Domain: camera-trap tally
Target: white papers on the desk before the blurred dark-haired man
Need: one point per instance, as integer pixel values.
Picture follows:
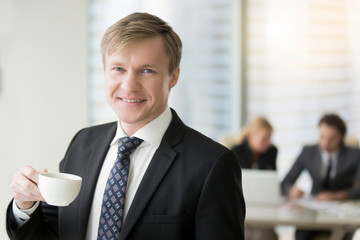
(335, 208)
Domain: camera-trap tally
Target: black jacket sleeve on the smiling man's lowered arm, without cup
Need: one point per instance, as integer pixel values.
(221, 208)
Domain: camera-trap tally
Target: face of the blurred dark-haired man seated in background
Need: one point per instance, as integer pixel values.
(330, 138)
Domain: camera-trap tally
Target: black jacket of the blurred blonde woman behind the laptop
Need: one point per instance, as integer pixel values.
(267, 160)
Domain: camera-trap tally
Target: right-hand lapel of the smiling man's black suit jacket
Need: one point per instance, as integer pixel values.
(158, 167)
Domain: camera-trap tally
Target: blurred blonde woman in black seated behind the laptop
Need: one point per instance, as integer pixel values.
(255, 150)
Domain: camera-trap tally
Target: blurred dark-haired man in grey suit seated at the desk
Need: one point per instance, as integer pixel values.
(334, 168)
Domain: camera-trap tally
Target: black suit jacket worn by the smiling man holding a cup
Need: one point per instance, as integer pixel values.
(191, 190)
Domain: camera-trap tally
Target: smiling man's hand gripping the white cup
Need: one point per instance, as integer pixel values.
(24, 187)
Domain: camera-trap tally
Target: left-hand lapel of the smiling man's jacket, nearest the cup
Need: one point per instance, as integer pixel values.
(93, 168)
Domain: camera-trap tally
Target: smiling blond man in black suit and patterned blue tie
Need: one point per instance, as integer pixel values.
(179, 184)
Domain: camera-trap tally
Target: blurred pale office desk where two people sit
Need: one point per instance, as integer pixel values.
(290, 213)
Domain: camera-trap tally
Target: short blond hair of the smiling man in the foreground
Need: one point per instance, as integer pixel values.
(138, 26)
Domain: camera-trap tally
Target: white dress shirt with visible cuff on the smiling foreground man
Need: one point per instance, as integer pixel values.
(152, 134)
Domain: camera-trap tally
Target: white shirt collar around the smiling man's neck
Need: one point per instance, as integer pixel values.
(152, 132)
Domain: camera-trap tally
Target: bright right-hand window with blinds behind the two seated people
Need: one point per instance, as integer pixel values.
(302, 61)
